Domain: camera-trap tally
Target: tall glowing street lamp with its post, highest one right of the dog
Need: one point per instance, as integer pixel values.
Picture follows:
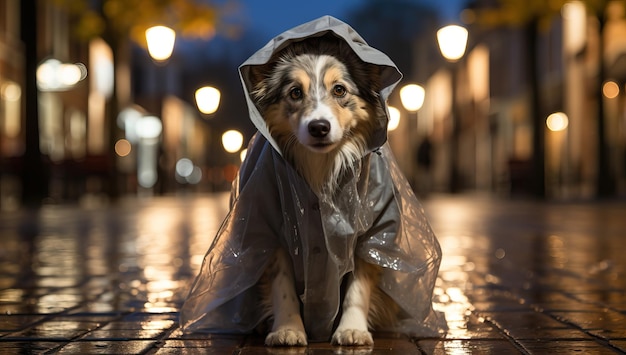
(452, 41)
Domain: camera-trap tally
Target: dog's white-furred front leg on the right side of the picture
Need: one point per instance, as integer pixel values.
(352, 328)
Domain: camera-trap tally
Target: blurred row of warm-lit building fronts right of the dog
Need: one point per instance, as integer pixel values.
(496, 117)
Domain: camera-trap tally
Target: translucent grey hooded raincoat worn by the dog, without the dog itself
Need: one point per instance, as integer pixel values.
(374, 216)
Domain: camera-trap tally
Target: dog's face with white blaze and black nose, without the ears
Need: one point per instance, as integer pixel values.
(318, 104)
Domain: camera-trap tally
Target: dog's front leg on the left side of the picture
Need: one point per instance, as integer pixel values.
(287, 328)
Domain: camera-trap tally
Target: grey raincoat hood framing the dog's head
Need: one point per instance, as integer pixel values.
(390, 75)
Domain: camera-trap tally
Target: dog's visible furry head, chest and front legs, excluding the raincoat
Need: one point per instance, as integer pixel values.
(320, 105)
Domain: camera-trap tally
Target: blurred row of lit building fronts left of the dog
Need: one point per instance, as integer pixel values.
(89, 151)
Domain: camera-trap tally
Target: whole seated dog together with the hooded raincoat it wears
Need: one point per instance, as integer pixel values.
(324, 239)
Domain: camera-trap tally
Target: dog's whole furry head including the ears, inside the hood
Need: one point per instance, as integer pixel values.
(318, 96)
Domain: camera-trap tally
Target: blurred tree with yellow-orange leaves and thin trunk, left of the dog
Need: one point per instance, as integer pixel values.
(118, 21)
